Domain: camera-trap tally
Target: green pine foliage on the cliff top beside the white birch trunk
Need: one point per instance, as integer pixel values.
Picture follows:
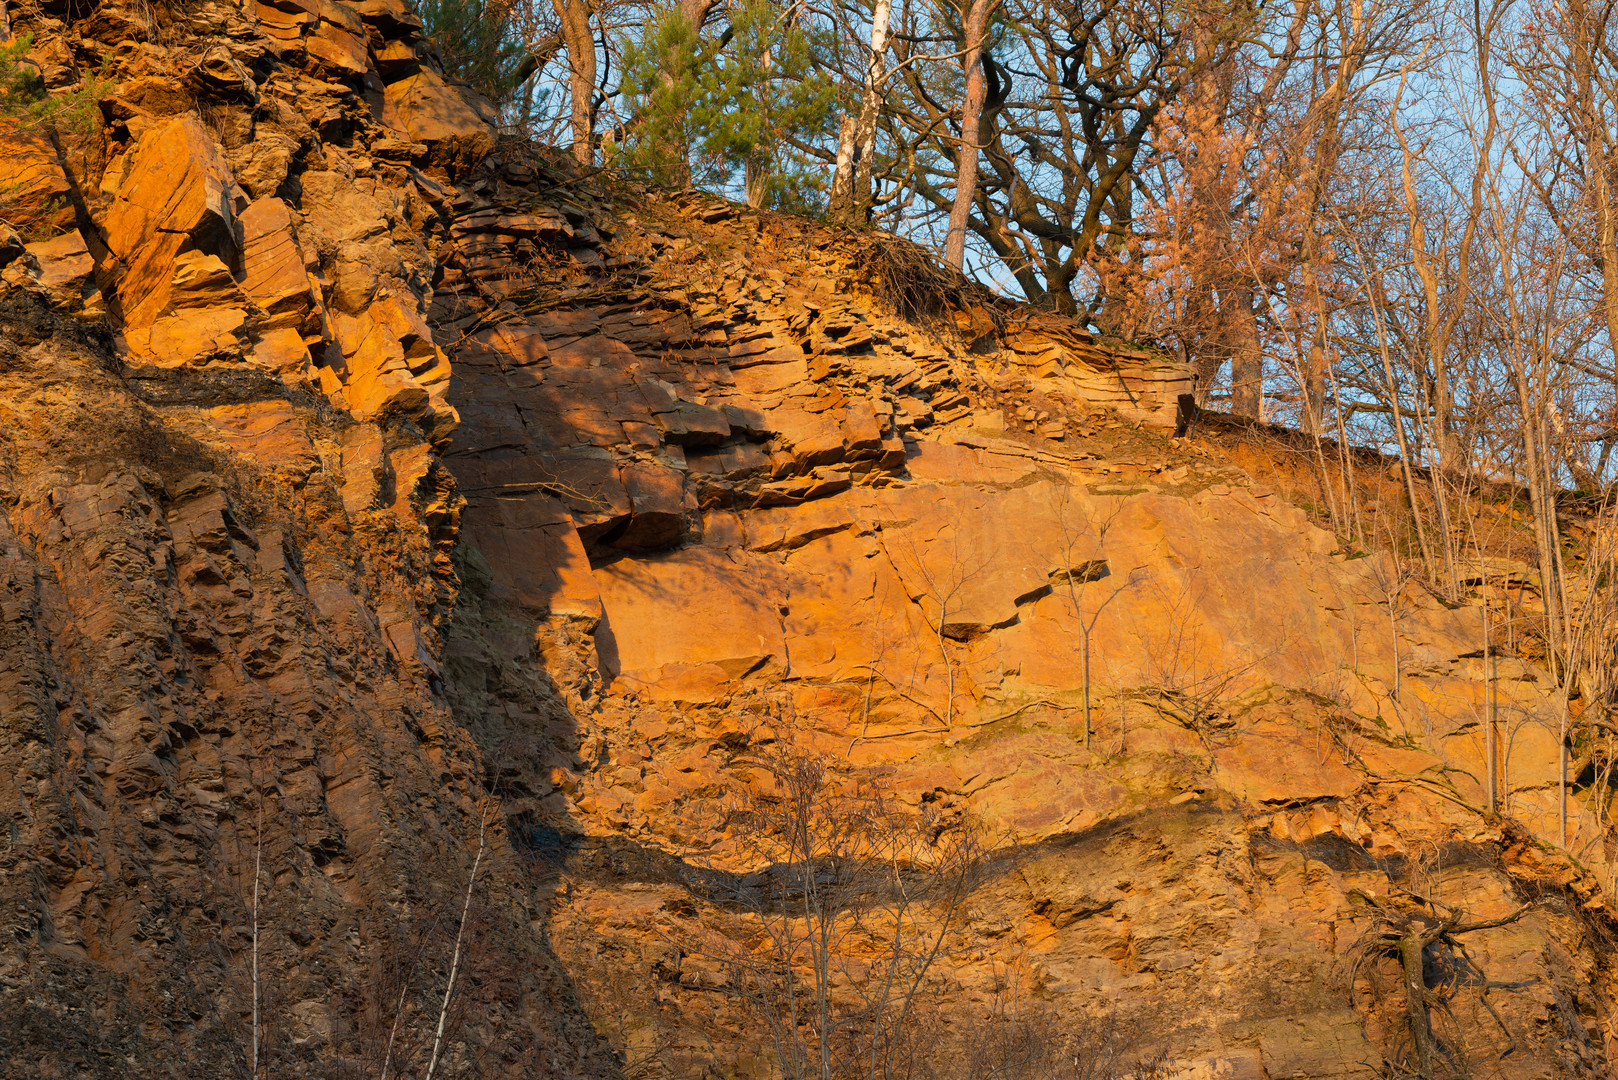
(726, 113)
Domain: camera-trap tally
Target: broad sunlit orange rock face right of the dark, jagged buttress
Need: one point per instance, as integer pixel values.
(923, 614)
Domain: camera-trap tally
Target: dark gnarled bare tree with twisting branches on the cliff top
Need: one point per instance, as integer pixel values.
(1070, 98)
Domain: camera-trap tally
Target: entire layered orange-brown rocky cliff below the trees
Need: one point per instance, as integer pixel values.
(381, 500)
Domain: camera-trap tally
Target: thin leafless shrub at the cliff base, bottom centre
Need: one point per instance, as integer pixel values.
(855, 904)
